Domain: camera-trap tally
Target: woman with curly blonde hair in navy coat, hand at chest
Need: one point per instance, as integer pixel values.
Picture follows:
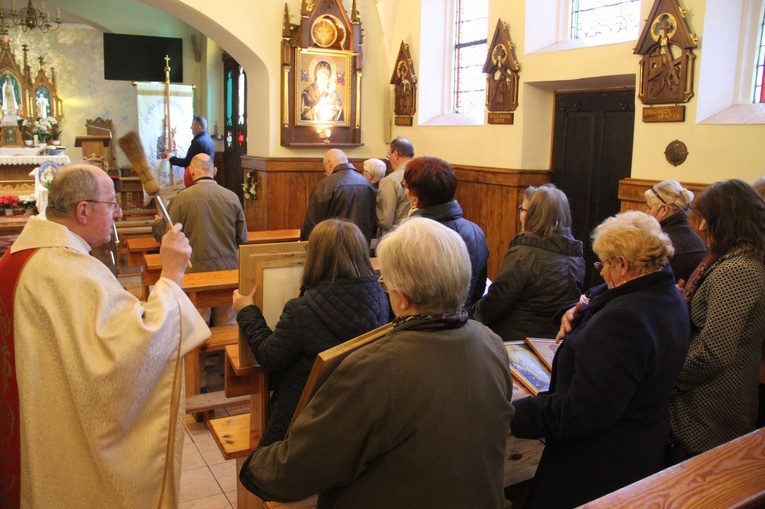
(606, 417)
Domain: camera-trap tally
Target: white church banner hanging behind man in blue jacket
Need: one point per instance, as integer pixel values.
(151, 125)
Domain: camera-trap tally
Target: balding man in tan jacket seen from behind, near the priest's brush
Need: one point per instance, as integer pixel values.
(214, 222)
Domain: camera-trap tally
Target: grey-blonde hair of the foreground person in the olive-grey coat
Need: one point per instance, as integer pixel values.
(427, 262)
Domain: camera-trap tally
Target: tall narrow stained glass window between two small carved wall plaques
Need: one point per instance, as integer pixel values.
(471, 22)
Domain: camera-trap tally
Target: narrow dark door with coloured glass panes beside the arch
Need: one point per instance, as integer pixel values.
(235, 124)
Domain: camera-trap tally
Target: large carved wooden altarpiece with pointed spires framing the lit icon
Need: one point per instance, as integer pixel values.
(321, 76)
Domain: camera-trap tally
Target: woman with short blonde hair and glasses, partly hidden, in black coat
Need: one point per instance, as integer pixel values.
(668, 202)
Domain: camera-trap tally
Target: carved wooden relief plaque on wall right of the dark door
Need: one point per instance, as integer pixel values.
(666, 69)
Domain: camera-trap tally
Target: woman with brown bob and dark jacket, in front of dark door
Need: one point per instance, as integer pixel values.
(542, 272)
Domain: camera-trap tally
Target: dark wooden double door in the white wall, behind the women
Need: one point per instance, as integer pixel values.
(592, 151)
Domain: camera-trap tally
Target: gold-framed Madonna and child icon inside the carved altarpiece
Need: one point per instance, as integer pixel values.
(322, 93)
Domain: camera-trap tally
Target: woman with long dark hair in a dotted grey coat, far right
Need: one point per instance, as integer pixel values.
(715, 396)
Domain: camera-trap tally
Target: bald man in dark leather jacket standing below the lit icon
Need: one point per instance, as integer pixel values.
(344, 194)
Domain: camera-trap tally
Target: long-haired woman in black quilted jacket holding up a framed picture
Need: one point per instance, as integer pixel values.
(339, 300)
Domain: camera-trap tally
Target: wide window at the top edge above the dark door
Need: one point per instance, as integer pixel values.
(594, 18)
